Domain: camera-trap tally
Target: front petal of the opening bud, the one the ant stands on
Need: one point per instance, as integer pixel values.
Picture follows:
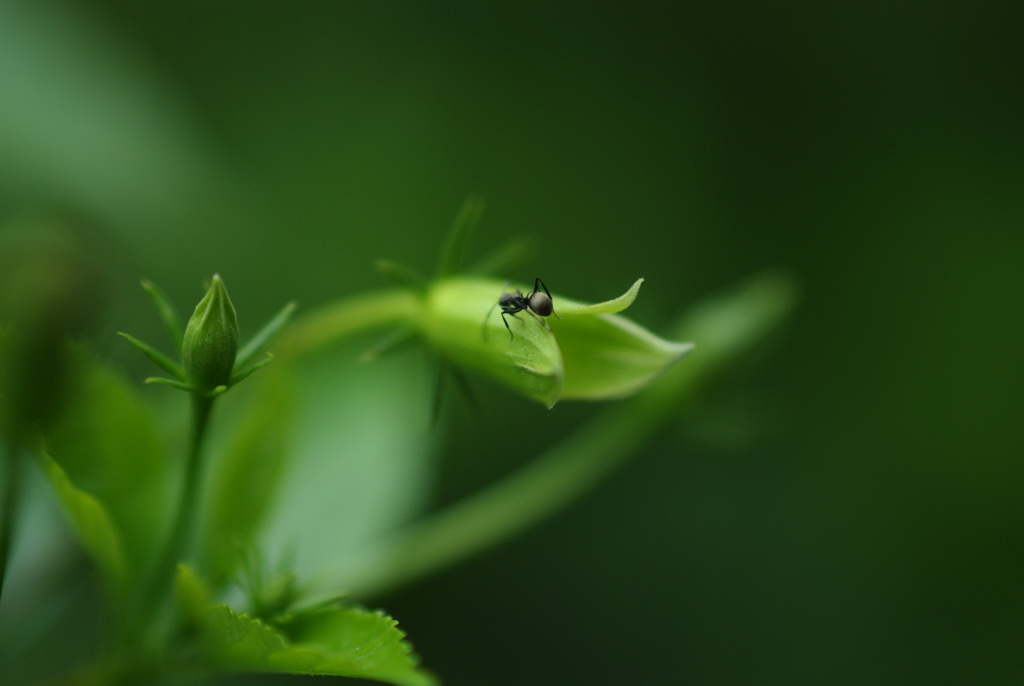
(456, 322)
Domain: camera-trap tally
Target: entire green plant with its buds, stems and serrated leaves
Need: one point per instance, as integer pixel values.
(174, 544)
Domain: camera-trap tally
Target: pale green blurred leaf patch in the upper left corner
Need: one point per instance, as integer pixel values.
(88, 120)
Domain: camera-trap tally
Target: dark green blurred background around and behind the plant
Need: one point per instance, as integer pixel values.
(846, 510)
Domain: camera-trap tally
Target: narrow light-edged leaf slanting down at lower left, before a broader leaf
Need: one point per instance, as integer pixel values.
(91, 522)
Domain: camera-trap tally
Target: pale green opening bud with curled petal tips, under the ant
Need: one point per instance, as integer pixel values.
(589, 354)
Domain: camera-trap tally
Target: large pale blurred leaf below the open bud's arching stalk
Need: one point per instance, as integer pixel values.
(358, 457)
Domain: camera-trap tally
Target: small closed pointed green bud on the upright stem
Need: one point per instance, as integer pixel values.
(211, 341)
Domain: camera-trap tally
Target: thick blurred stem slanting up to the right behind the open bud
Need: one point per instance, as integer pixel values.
(726, 329)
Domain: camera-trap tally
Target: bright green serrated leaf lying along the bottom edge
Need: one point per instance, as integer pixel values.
(338, 641)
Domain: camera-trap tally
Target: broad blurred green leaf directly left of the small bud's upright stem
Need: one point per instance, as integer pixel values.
(109, 445)
